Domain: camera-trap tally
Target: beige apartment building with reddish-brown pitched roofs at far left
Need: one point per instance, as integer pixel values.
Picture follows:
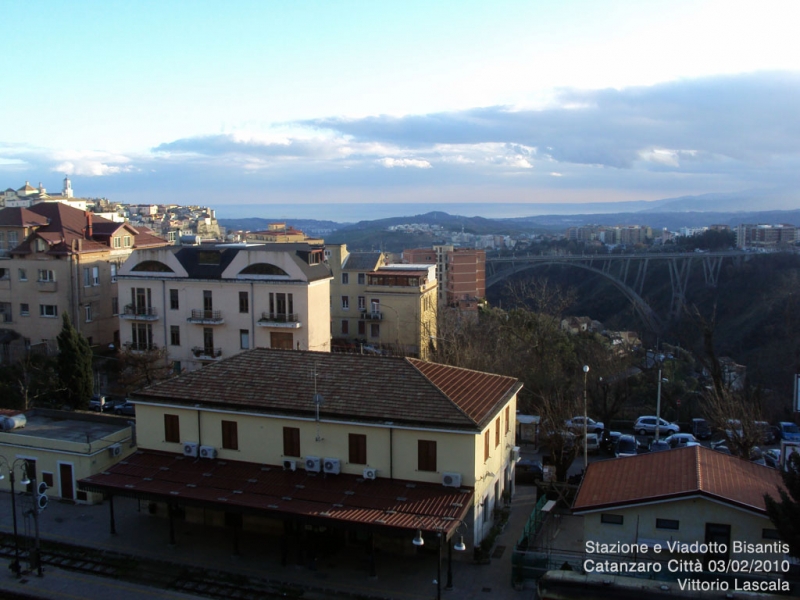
(55, 259)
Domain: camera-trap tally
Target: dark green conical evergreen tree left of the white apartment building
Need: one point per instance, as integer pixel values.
(74, 366)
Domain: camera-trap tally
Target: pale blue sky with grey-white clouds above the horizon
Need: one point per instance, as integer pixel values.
(284, 103)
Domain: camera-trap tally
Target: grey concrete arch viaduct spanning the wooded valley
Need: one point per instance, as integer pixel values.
(627, 272)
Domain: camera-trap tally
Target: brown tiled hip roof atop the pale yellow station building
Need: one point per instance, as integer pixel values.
(354, 387)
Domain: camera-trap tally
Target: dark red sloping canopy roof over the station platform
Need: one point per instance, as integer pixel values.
(256, 488)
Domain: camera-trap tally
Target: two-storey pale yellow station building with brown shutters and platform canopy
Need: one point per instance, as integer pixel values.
(301, 439)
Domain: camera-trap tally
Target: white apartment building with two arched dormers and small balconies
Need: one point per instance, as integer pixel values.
(211, 301)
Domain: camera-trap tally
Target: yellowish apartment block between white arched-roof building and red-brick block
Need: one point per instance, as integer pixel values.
(392, 307)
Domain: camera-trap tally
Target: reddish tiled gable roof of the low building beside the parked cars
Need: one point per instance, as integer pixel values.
(691, 471)
